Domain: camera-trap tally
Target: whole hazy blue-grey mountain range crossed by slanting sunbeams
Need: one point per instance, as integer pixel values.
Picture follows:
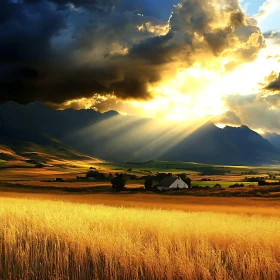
(29, 129)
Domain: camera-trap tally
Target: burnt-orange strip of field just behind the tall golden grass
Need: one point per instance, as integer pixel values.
(230, 205)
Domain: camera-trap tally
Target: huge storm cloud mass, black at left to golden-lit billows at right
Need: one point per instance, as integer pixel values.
(58, 51)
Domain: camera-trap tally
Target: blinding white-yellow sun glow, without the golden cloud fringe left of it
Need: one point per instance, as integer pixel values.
(196, 93)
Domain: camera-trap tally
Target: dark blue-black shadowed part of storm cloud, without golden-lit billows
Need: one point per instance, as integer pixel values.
(39, 36)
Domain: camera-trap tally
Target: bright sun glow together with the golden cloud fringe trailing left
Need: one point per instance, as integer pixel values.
(193, 93)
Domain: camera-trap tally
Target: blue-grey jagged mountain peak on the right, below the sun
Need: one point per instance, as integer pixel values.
(230, 145)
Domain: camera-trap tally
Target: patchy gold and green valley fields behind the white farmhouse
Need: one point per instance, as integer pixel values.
(200, 174)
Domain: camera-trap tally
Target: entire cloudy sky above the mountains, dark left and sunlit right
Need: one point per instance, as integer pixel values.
(179, 60)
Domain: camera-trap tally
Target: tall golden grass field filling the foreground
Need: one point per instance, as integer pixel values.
(56, 240)
